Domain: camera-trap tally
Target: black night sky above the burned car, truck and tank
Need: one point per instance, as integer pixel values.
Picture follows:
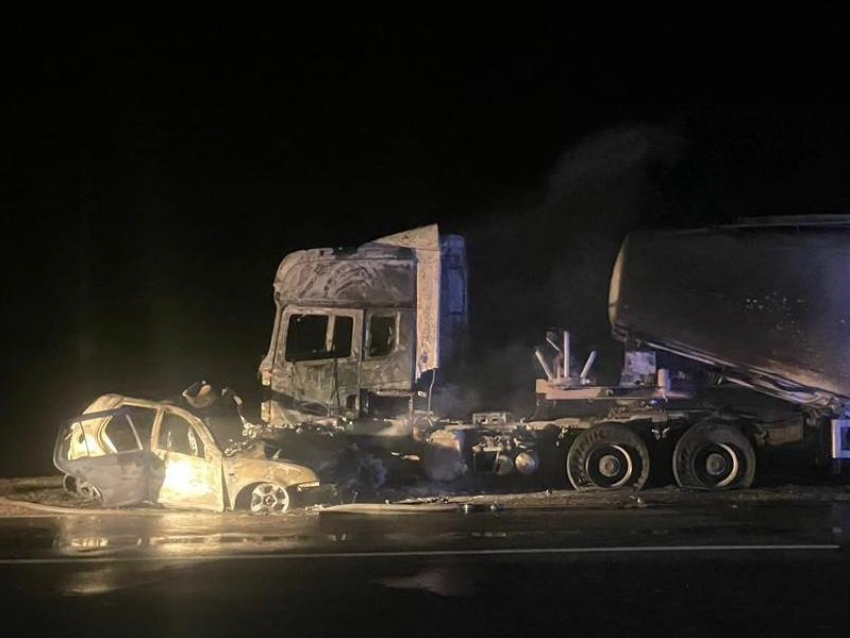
(155, 176)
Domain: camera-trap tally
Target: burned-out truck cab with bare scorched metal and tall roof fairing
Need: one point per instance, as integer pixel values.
(358, 333)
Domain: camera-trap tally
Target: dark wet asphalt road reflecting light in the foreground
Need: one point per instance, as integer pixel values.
(753, 569)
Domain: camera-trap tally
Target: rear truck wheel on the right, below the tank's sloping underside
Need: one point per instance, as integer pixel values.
(714, 456)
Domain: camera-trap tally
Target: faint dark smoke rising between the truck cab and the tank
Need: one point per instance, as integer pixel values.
(546, 261)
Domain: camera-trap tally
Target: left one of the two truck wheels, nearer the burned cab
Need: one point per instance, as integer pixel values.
(608, 456)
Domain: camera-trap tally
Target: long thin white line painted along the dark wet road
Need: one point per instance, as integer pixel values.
(418, 554)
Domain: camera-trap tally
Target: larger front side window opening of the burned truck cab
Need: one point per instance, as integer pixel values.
(314, 337)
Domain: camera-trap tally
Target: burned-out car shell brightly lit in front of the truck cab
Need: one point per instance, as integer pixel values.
(126, 451)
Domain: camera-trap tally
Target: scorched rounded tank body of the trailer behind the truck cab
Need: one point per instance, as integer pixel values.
(770, 305)
